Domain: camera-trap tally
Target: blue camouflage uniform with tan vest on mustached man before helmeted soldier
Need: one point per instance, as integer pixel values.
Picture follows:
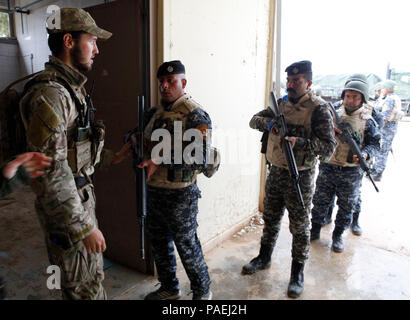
(311, 122)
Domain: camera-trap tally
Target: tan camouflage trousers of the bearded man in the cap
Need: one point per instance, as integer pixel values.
(81, 273)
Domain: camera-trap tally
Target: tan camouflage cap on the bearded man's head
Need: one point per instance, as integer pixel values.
(75, 19)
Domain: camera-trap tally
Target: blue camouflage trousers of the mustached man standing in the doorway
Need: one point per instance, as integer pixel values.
(280, 192)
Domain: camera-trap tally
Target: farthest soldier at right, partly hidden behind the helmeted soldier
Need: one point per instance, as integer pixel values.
(390, 108)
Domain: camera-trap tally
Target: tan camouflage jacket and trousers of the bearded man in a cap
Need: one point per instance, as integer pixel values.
(65, 200)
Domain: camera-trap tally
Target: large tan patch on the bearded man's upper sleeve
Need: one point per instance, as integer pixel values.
(43, 123)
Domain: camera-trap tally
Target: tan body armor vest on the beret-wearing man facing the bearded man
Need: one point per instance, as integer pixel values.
(171, 178)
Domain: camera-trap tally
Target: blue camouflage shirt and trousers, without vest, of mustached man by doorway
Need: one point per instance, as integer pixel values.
(280, 192)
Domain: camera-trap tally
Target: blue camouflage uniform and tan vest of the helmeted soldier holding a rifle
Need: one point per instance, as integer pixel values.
(342, 177)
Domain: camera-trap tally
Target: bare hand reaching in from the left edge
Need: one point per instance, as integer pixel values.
(33, 163)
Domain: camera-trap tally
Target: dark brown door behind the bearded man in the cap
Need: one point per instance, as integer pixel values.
(121, 73)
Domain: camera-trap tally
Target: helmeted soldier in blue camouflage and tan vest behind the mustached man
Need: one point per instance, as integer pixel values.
(342, 175)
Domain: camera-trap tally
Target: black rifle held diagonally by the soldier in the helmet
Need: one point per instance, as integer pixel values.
(347, 137)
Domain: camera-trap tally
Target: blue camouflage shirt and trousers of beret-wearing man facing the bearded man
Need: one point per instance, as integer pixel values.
(172, 217)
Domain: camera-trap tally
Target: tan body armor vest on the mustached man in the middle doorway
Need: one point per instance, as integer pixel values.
(298, 119)
